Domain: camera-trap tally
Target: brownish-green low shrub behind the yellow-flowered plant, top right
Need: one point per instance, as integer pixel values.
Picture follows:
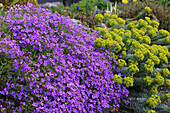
(159, 12)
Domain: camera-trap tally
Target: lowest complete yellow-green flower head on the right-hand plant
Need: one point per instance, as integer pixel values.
(153, 100)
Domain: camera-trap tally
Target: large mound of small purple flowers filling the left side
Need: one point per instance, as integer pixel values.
(55, 66)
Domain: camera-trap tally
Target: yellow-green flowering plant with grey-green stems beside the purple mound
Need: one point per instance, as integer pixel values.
(138, 48)
